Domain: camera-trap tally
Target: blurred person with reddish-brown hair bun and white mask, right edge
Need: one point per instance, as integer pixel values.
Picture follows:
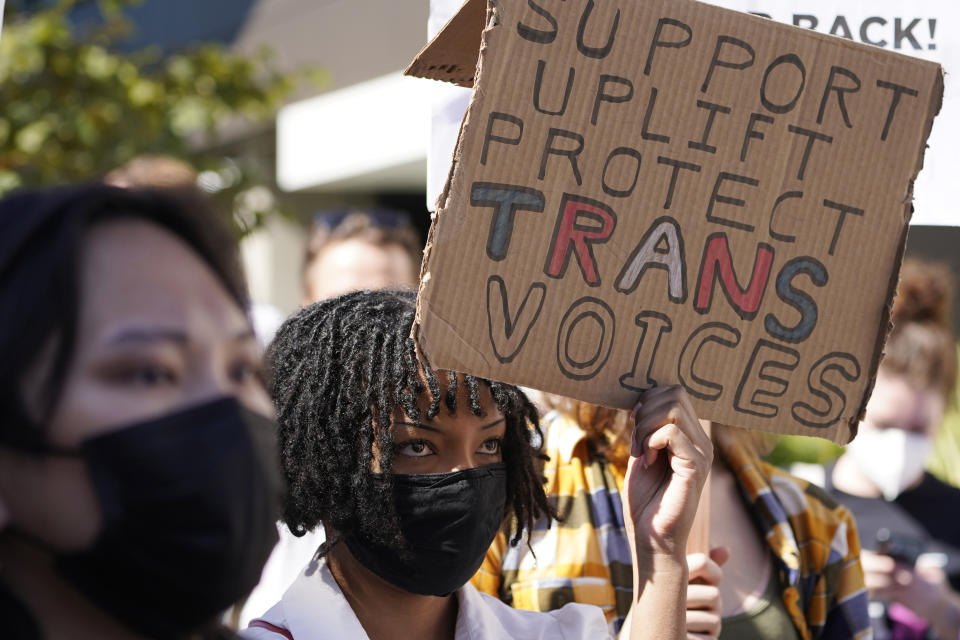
(907, 517)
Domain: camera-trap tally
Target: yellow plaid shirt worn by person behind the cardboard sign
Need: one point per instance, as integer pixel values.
(586, 557)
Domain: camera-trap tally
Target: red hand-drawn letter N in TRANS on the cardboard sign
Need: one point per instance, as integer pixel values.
(717, 264)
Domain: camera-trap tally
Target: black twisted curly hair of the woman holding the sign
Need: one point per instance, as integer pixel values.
(337, 370)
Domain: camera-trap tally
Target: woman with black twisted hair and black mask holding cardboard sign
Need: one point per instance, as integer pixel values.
(412, 472)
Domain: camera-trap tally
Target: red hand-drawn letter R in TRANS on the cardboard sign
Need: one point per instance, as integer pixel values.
(573, 233)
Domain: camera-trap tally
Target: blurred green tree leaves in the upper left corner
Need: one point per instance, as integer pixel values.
(74, 106)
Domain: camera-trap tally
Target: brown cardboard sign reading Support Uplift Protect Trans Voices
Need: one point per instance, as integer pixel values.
(665, 192)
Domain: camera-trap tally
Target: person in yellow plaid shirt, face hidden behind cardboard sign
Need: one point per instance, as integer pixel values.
(793, 570)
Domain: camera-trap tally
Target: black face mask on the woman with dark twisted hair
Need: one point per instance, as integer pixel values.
(448, 521)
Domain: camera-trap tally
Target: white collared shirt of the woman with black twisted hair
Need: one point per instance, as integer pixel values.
(314, 608)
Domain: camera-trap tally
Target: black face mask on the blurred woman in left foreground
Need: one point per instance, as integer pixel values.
(189, 505)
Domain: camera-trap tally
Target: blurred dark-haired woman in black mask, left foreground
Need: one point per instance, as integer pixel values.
(138, 471)
